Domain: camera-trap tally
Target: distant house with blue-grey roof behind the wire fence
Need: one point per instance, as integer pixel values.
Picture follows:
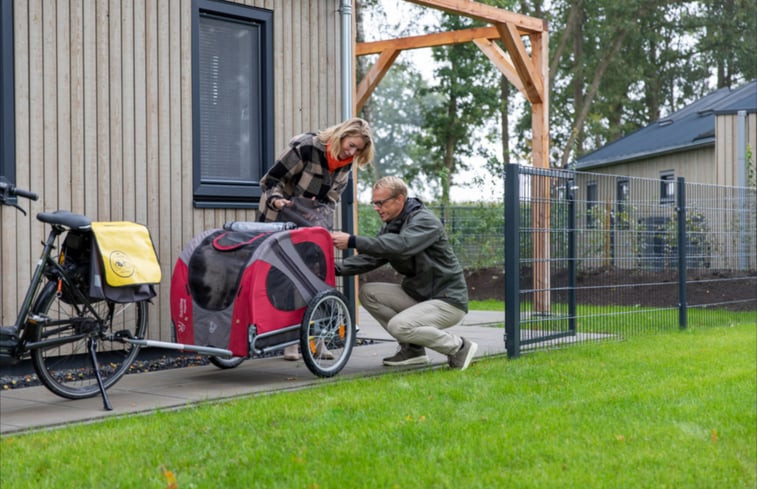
(627, 189)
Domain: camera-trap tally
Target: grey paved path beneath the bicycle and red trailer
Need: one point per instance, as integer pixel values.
(34, 408)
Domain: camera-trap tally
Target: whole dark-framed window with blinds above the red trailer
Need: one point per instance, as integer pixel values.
(232, 102)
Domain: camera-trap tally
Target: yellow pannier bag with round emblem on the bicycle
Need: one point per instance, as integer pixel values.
(127, 254)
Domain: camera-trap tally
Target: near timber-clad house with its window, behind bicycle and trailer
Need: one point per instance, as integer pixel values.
(161, 112)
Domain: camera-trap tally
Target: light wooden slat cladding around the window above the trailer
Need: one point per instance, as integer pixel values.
(104, 119)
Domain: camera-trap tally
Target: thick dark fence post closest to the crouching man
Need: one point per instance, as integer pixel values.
(512, 260)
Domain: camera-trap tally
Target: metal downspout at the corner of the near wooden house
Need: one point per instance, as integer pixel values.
(348, 198)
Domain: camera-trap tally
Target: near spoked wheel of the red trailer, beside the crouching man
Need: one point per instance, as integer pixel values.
(327, 333)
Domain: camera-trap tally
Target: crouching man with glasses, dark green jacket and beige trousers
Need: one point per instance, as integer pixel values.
(433, 294)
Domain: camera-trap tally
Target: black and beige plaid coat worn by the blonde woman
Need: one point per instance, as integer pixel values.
(302, 170)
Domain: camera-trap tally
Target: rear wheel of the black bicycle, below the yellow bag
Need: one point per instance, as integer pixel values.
(67, 369)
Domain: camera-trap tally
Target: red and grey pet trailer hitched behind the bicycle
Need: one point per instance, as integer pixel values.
(253, 288)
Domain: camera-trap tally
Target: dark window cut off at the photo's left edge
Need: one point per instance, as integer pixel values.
(7, 108)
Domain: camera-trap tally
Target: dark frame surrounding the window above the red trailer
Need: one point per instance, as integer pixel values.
(240, 195)
